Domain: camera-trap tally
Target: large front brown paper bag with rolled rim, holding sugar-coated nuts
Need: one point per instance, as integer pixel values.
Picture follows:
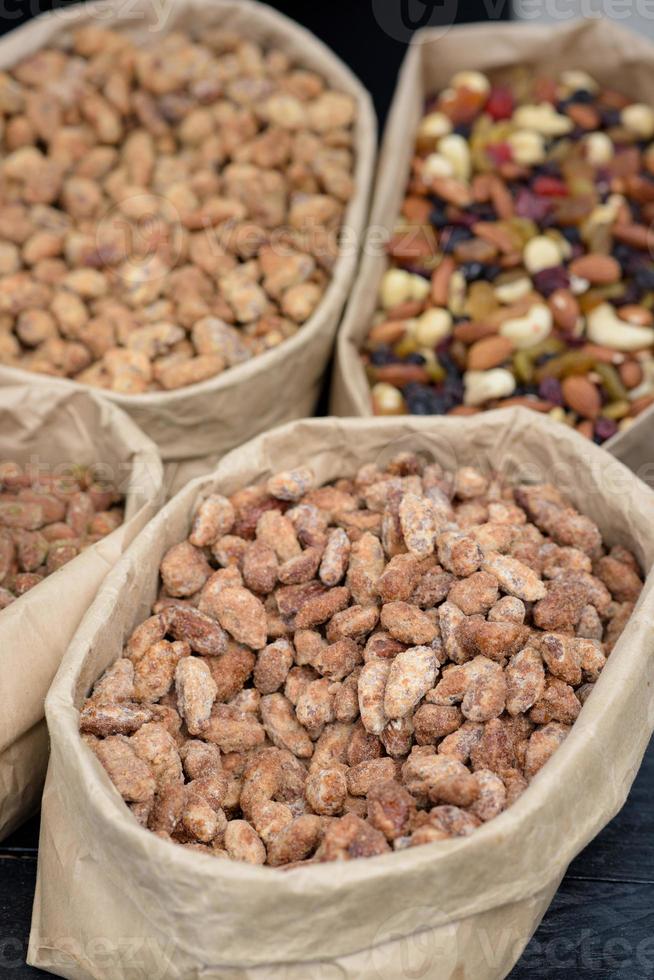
(114, 900)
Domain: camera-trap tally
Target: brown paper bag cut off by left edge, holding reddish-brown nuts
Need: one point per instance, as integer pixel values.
(52, 427)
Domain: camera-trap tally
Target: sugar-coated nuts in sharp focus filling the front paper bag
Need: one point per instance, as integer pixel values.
(336, 672)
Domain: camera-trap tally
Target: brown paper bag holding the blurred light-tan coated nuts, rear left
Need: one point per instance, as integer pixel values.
(209, 418)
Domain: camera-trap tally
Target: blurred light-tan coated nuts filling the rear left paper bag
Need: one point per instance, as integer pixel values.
(166, 212)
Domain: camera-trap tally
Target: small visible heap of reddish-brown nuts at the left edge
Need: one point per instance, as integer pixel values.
(48, 519)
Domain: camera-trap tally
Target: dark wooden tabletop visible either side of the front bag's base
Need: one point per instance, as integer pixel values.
(600, 925)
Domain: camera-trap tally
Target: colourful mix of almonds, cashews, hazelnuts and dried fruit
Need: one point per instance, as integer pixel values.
(521, 267)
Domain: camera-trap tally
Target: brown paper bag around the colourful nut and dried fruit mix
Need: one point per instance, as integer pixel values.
(613, 55)
